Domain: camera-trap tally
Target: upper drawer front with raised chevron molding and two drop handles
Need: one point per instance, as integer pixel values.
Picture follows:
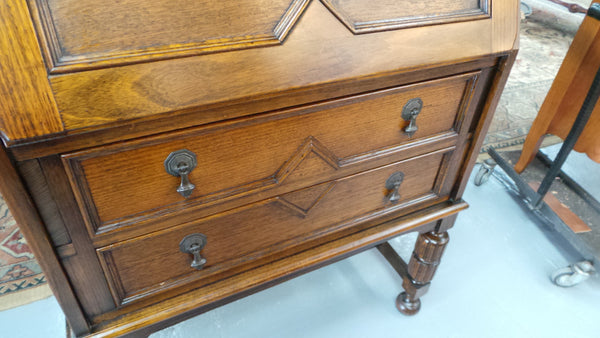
(127, 184)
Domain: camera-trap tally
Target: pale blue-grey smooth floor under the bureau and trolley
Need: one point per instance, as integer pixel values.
(493, 282)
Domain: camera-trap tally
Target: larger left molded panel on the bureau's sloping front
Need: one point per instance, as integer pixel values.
(86, 34)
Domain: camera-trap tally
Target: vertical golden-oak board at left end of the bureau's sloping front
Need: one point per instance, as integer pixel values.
(27, 108)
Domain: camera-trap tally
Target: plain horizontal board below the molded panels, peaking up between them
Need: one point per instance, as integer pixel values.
(320, 50)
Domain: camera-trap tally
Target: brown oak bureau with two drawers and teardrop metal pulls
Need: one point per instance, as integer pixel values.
(164, 158)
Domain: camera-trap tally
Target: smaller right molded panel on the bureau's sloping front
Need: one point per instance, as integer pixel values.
(366, 16)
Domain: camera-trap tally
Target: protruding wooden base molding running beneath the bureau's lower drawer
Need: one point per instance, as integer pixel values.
(152, 317)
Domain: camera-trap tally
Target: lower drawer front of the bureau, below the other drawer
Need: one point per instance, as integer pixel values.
(270, 229)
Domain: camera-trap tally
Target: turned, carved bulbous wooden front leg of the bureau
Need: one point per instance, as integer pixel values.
(421, 268)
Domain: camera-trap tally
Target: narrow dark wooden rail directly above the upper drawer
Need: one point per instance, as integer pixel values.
(143, 127)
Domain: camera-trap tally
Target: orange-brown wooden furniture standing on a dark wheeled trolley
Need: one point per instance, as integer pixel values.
(570, 111)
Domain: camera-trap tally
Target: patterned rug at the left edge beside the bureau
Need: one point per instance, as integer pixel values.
(20, 275)
